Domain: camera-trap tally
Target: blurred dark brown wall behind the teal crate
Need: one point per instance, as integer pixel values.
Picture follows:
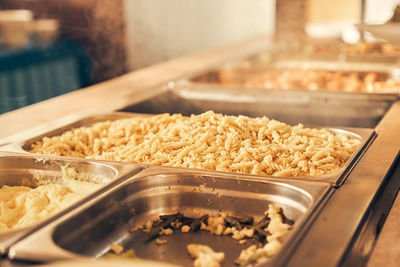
(96, 24)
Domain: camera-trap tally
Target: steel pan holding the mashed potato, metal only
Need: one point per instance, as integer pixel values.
(25, 170)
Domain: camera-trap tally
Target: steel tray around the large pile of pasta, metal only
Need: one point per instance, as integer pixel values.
(335, 178)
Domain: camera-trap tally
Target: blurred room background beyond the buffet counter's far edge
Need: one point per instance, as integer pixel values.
(49, 48)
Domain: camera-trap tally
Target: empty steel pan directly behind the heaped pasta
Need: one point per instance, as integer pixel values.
(311, 108)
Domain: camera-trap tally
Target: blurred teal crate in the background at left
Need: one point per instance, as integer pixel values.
(36, 73)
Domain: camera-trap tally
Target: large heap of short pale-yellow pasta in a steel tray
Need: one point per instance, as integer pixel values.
(208, 141)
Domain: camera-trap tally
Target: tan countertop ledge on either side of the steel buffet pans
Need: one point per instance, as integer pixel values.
(128, 89)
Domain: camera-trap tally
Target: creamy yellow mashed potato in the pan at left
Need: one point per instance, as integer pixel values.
(22, 206)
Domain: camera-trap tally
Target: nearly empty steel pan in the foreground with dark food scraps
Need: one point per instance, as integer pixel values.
(90, 229)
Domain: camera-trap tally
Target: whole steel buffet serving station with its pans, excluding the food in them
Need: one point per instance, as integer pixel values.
(338, 216)
